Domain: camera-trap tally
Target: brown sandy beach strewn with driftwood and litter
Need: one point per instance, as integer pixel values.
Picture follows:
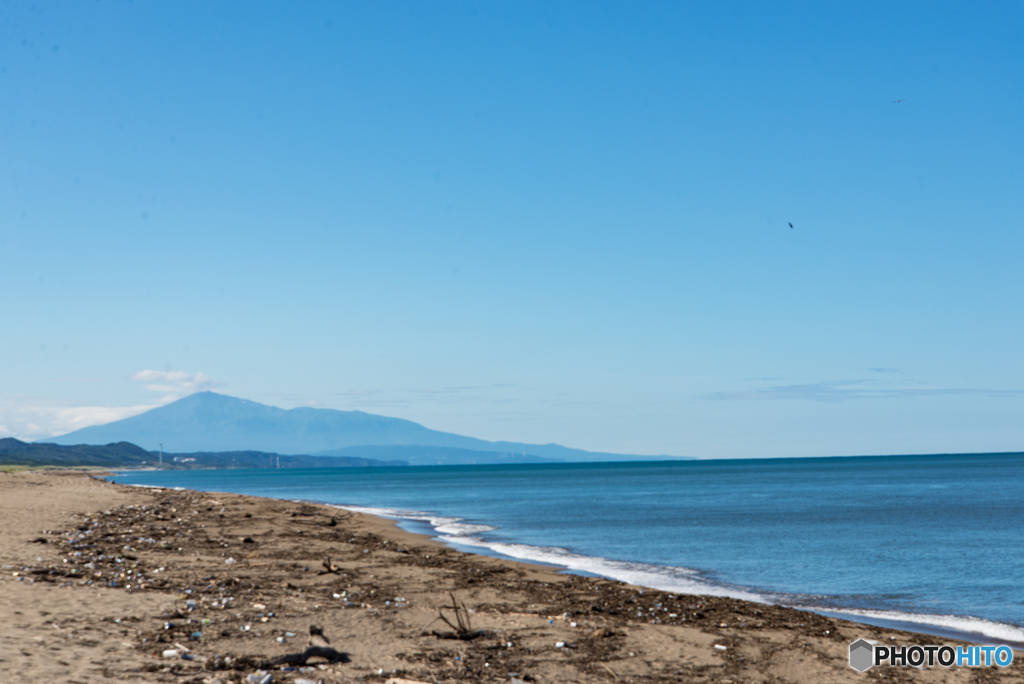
(106, 583)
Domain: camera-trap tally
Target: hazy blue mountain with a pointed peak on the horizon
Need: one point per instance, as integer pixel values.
(211, 422)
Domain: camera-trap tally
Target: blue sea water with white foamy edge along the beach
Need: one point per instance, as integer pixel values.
(935, 541)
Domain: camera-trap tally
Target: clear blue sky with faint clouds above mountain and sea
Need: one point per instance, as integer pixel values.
(530, 222)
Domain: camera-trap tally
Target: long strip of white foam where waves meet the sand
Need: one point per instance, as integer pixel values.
(680, 580)
